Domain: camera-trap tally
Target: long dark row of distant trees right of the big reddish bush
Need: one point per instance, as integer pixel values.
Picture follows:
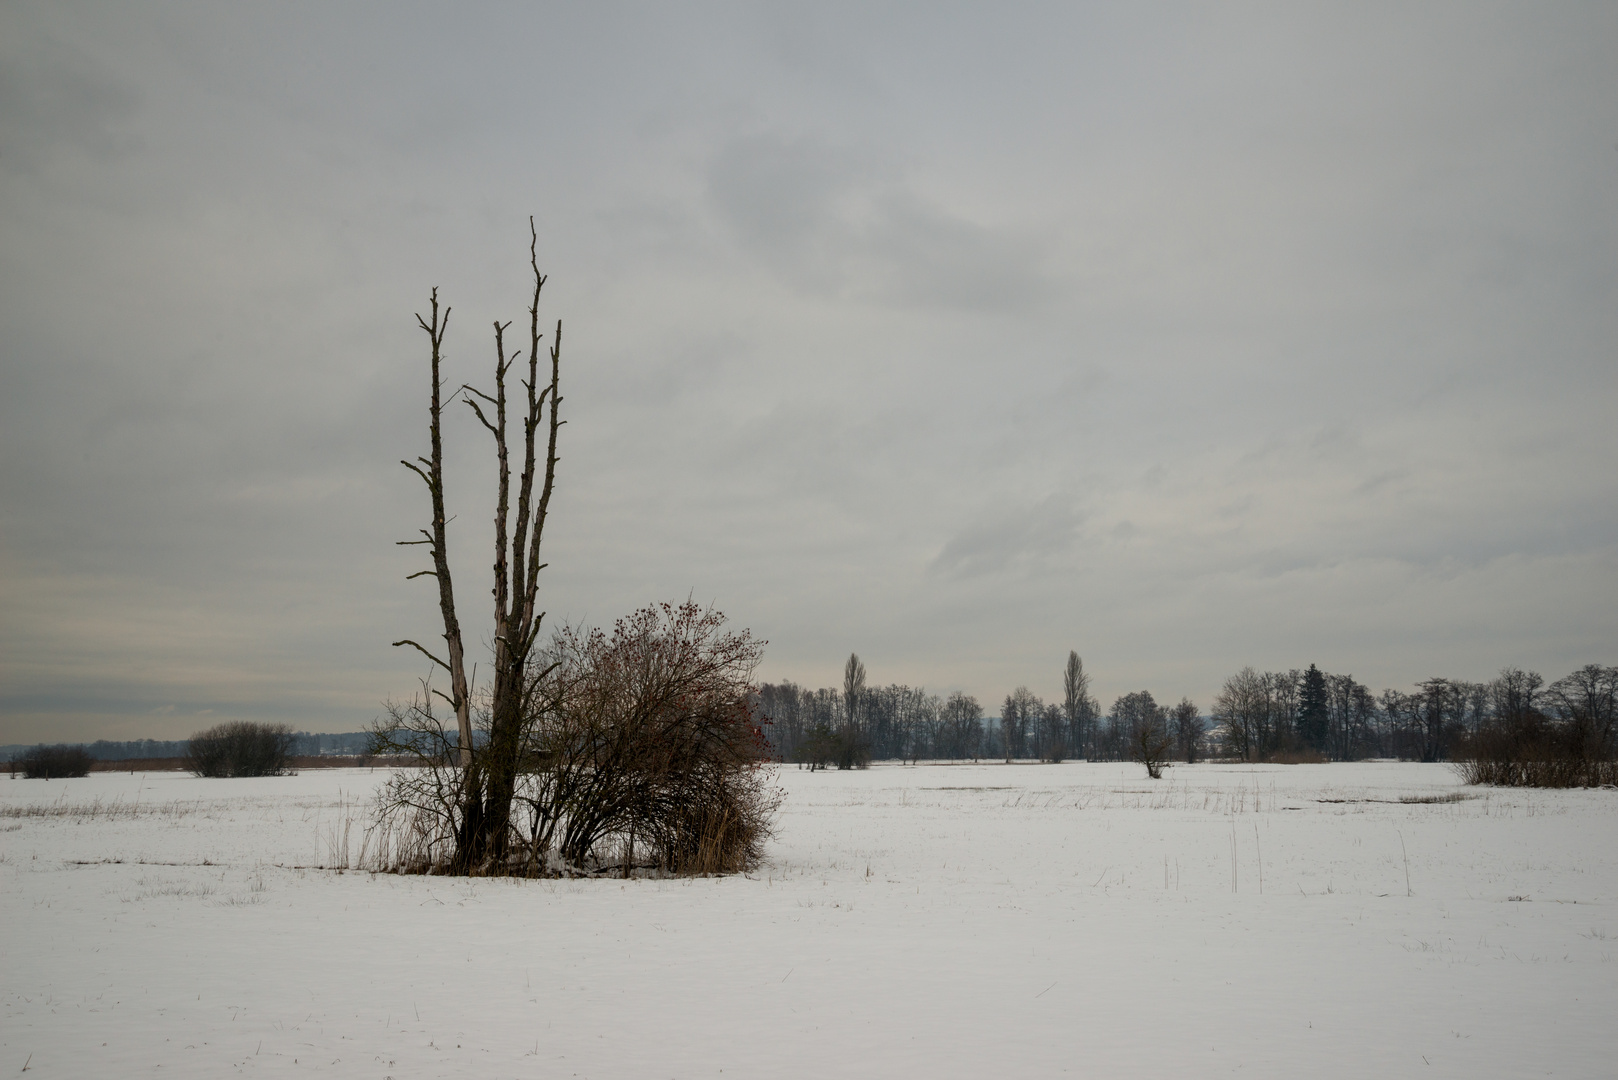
(1298, 715)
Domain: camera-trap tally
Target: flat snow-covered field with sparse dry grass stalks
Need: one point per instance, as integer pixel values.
(912, 922)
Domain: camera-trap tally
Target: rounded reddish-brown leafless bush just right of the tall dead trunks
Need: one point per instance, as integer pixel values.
(650, 733)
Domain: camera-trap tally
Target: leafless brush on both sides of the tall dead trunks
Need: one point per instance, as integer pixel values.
(640, 738)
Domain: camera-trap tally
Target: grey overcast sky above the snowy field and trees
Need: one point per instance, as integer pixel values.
(1187, 338)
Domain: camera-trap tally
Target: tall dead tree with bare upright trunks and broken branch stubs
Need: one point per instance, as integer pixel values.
(489, 772)
